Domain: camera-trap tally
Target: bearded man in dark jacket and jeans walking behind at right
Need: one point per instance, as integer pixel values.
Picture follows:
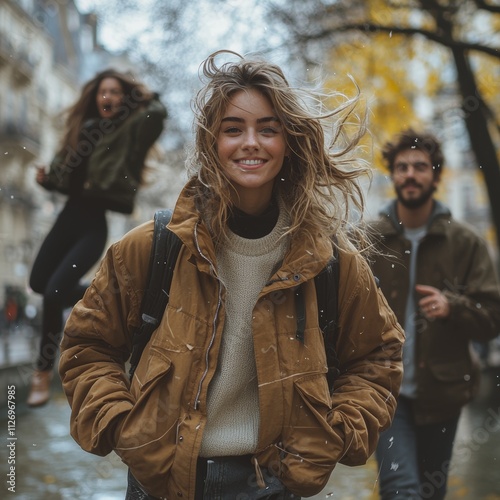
(439, 279)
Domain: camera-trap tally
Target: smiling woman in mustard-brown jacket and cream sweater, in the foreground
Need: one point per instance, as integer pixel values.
(230, 397)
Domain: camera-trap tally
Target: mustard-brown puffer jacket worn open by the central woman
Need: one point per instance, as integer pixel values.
(155, 424)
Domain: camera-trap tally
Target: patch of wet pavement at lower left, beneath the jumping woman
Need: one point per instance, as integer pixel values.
(50, 465)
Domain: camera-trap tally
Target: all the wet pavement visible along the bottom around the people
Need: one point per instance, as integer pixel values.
(50, 465)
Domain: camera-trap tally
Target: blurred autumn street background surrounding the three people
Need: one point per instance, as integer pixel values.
(49, 48)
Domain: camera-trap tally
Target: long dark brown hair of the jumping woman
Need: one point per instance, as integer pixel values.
(85, 108)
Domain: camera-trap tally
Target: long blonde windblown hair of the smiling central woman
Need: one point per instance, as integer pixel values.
(318, 181)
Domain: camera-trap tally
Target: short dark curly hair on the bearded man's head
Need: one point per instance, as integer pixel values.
(410, 139)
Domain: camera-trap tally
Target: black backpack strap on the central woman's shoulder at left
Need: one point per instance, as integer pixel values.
(164, 251)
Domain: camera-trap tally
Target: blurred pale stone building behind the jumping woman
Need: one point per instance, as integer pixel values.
(48, 49)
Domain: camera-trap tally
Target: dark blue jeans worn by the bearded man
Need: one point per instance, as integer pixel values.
(414, 459)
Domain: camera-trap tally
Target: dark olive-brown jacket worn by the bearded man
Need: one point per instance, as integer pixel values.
(452, 258)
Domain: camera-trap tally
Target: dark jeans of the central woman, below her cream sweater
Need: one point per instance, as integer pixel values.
(225, 478)
